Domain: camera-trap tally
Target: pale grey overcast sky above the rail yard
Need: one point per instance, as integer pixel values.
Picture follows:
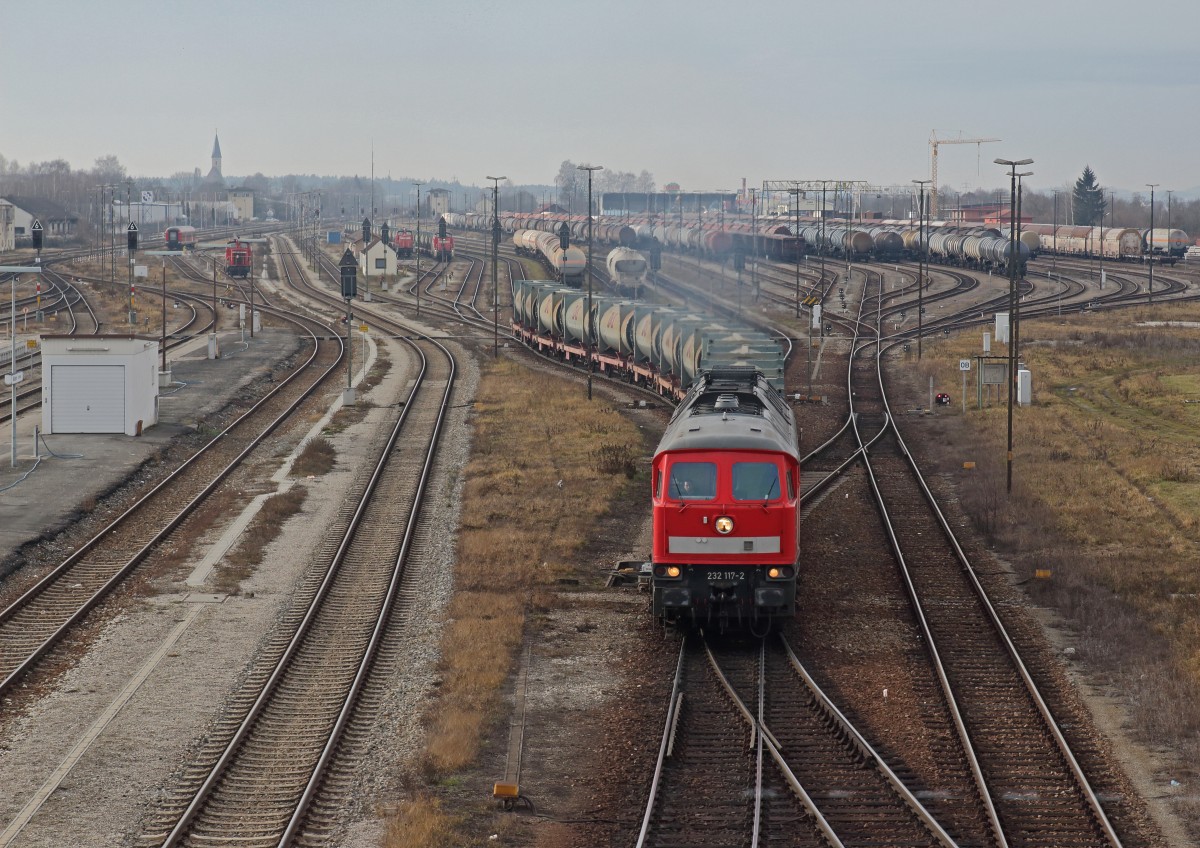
(699, 93)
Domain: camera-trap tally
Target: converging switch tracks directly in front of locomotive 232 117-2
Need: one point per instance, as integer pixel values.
(793, 769)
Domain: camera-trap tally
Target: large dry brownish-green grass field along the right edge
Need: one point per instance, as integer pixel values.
(1106, 496)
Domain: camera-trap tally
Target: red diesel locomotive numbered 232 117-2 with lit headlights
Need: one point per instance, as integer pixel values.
(725, 496)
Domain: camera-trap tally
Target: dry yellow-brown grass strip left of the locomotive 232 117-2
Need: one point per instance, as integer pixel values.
(533, 490)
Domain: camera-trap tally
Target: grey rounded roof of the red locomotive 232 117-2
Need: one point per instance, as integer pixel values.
(735, 410)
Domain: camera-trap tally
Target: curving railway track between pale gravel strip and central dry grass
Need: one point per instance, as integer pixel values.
(272, 783)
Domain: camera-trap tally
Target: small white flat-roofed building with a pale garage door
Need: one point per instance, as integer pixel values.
(100, 384)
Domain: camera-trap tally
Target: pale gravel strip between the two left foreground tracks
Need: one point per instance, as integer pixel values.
(101, 747)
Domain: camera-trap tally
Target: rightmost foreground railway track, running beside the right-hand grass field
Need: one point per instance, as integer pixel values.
(1029, 778)
